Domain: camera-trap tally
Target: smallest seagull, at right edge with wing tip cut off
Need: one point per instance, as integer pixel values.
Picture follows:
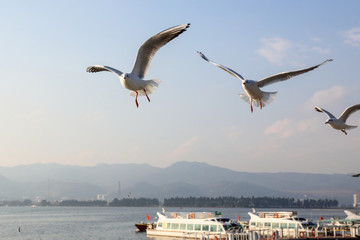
(339, 123)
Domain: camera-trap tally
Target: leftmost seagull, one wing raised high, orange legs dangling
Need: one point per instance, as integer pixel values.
(134, 81)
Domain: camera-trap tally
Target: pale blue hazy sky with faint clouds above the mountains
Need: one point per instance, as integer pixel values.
(53, 111)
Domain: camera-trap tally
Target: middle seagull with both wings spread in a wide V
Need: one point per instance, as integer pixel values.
(253, 94)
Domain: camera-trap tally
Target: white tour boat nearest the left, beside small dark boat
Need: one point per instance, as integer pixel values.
(195, 225)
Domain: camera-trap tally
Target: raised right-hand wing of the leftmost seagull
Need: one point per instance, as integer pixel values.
(152, 45)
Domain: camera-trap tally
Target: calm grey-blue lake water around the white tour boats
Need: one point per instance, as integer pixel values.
(104, 223)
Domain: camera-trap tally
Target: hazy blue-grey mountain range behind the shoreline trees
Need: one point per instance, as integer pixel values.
(182, 179)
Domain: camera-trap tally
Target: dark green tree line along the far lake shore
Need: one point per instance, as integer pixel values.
(220, 202)
